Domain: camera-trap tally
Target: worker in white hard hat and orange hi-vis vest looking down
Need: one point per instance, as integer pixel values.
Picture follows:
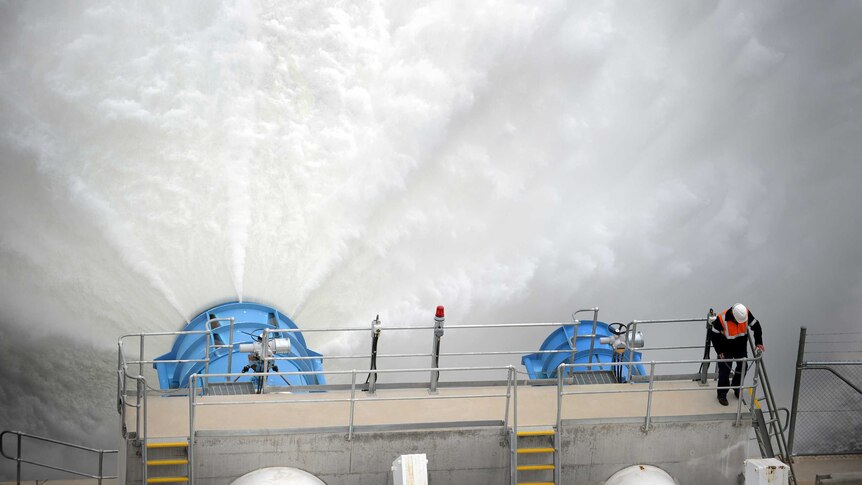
(729, 337)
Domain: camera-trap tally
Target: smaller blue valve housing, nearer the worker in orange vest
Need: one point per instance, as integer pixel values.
(544, 365)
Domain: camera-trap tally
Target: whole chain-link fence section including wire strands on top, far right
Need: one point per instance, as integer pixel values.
(828, 407)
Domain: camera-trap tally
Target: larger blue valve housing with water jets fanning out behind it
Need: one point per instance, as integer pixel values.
(250, 319)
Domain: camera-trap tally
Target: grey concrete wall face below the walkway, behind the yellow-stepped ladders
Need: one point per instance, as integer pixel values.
(706, 451)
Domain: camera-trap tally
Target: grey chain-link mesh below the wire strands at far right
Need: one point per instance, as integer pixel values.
(829, 415)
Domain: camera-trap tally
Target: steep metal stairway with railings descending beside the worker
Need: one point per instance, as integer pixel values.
(765, 418)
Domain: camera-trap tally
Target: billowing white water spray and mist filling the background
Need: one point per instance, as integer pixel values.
(514, 162)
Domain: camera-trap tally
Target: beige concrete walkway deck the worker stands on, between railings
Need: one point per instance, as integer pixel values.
(537, 406)
